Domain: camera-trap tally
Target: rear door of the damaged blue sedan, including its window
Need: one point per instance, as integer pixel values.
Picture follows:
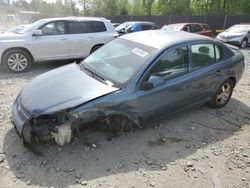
(206, 71)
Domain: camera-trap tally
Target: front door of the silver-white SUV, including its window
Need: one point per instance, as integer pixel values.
(53, 43)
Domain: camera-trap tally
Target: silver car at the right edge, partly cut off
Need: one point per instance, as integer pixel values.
(238, 35)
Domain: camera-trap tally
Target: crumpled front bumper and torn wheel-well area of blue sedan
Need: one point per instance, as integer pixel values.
(61, 125)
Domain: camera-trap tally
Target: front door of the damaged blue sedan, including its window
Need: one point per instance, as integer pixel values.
(173, 92)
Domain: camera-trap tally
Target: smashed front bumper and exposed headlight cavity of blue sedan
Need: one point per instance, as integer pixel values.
(32, 127)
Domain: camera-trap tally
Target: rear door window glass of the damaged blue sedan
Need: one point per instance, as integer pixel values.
(202, 55)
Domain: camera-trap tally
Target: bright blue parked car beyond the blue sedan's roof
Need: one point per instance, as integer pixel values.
(135, 26)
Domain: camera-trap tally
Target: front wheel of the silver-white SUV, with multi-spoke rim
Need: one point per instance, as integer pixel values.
(17, 61)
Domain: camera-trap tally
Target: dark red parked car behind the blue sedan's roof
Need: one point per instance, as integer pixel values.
(198, 28)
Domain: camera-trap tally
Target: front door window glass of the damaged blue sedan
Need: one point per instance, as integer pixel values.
(171, 64)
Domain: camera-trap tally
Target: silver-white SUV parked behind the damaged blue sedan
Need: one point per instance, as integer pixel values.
(54, 39)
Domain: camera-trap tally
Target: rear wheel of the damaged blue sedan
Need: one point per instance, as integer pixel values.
(223, 94)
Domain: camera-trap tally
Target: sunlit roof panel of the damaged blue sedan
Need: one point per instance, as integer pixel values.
(161, 38)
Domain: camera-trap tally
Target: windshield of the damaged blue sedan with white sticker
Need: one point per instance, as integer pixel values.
(119, 60)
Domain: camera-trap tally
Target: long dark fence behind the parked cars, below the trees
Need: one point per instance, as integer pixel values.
(218, 22)
